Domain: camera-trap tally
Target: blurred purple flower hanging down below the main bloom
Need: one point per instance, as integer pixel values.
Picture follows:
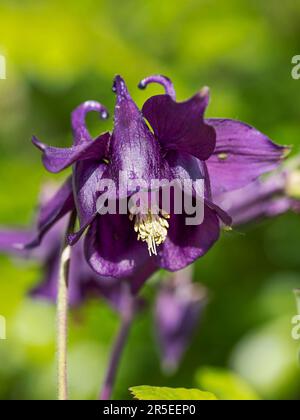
(178, 309)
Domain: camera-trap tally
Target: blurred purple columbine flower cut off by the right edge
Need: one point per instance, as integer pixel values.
(265, 198)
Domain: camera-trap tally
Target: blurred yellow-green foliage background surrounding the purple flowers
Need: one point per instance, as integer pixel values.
(60, 53)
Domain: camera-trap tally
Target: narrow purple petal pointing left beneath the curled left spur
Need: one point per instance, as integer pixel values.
(56, 159)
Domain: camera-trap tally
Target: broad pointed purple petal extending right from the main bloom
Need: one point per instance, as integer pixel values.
(242, 154)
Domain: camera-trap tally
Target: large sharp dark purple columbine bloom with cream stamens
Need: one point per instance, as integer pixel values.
(167, 140)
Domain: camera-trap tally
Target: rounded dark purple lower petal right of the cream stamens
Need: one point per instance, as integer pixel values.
(185, 244)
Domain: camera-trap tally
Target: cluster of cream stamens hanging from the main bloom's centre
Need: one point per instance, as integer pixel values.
(151, 228)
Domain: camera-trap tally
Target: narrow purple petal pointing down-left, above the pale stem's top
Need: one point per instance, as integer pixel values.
(53, 210)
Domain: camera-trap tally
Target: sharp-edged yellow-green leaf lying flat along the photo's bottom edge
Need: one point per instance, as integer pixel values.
(145, 392)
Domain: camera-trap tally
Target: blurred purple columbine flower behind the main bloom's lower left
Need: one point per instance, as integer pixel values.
(83, 281)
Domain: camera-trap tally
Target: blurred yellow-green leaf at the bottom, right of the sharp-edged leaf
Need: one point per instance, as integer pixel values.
(225, 384)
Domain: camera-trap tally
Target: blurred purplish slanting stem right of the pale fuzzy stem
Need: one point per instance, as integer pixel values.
(117, 351)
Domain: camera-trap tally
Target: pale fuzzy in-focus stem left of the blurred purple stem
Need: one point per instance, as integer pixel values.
(62, 315)
